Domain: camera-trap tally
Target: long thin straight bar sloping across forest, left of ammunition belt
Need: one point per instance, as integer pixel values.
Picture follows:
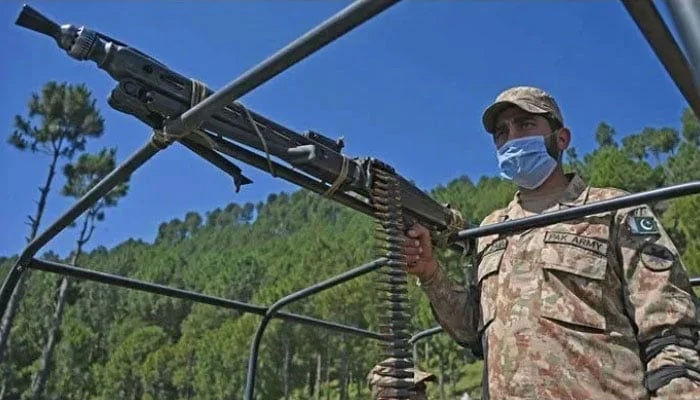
(129, 283)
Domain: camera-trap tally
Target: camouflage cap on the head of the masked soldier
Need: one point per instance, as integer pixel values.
(531, 99)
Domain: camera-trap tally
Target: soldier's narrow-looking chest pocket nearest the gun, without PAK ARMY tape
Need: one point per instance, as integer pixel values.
(487, 277)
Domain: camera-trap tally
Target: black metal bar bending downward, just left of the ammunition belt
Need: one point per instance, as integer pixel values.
(321, 286)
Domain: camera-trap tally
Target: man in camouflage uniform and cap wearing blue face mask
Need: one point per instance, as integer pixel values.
(595, 308)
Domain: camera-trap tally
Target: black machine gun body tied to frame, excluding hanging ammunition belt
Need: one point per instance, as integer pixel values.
(150, 91)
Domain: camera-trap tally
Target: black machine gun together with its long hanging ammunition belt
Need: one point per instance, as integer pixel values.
(158, 96)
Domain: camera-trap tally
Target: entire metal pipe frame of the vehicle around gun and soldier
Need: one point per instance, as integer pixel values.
(642, 12)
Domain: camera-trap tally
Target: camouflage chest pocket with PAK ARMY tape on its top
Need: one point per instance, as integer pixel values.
(574, 272)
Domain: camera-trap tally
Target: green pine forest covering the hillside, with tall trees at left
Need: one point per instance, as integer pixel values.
(78, 340)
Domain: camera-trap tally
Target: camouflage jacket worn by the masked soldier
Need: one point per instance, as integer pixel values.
(566, 311)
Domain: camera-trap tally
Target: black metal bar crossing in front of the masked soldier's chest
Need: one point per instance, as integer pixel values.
(553, 217)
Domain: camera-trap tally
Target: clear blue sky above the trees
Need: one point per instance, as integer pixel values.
(407, 87)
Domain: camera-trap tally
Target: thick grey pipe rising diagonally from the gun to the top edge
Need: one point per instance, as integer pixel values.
(339, 24)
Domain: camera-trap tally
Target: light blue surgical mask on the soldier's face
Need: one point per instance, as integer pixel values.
(526, 161)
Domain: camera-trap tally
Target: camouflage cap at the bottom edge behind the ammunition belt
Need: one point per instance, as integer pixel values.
(417, 386)
